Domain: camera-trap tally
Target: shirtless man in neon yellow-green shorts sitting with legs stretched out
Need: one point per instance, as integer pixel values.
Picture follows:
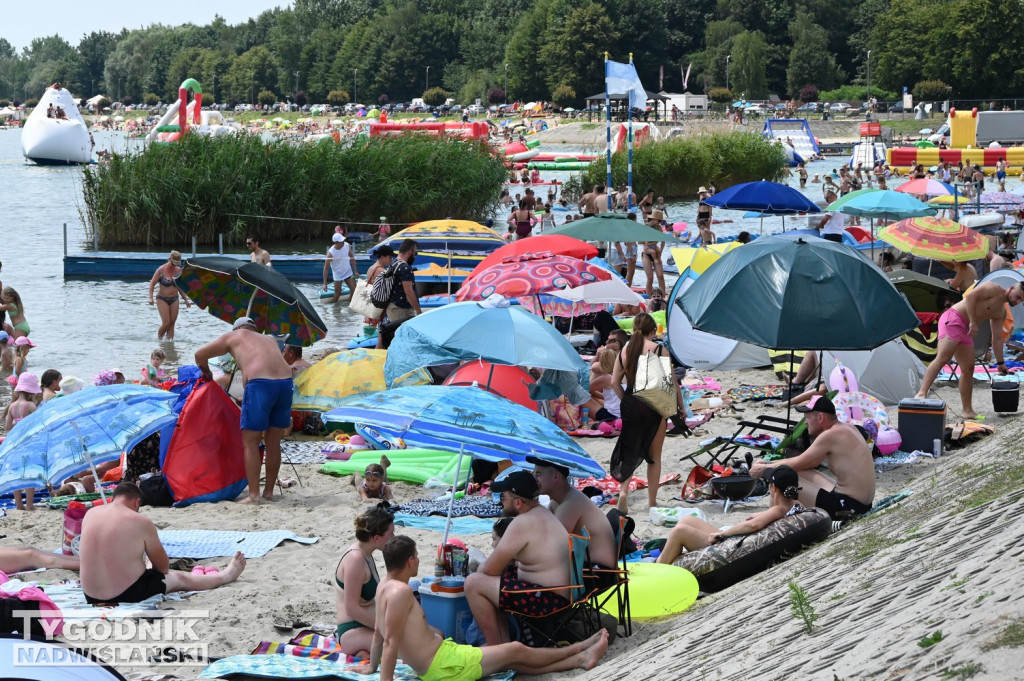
(402, 631)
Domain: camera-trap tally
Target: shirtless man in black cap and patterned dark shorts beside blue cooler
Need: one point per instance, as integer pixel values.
(534, 554)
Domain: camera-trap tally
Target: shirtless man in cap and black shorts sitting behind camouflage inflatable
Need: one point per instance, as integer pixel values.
(849, 460)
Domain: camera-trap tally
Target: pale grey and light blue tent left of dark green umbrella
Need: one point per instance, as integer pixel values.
(703, 351)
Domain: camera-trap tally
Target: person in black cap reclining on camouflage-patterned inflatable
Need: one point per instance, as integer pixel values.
(694, 534)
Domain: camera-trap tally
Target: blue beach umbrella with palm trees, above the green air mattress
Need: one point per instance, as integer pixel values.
(465, 418)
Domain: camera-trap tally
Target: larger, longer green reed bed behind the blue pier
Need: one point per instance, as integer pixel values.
(201, 186)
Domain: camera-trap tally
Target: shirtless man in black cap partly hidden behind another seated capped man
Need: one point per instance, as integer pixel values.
(577, 514)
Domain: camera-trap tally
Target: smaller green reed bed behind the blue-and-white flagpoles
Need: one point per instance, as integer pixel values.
(677, 167)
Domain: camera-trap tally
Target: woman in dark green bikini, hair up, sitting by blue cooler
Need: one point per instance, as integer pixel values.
(357, 569)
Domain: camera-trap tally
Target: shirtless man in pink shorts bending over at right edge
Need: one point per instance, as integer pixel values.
(959, 326)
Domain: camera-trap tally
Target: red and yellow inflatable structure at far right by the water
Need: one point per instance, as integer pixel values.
(966, 130)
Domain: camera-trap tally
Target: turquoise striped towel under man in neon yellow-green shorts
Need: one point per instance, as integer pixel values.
(290, 667)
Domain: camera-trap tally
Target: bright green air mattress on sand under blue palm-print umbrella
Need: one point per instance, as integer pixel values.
(415, 466)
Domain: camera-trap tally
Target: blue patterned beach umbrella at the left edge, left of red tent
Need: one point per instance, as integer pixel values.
(72, 434)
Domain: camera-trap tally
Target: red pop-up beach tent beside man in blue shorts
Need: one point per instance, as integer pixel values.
(204, 460)
